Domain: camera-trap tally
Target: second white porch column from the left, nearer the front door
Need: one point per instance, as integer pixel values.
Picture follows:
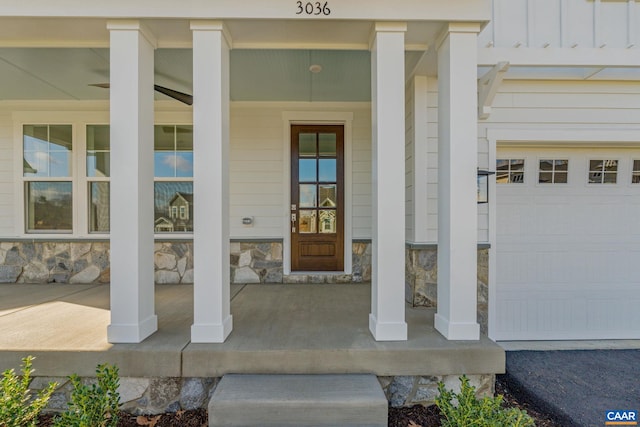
(212, 320)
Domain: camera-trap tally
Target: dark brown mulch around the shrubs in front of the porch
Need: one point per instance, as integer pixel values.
(415, 416)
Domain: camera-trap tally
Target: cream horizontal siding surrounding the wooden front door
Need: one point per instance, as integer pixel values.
(258, 183)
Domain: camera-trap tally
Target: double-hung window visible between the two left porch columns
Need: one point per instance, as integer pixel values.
(173, 165)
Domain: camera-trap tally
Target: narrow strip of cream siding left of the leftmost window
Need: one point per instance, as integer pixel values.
(7, 199)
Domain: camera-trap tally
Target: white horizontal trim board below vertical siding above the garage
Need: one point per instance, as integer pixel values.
(561, 57)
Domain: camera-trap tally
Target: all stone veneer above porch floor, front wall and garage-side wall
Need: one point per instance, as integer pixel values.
(251, 262)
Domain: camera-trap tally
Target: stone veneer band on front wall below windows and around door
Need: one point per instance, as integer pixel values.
(88, 262)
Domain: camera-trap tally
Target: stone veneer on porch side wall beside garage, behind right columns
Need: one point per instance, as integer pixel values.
(421, 279)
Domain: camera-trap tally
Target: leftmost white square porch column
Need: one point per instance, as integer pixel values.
(133, 315)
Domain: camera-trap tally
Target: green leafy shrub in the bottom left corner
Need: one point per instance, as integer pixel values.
(18, 408)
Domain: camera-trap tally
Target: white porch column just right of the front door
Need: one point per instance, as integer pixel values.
(387, 321)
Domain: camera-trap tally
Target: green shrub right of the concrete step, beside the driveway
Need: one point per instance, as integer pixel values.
(466, 410)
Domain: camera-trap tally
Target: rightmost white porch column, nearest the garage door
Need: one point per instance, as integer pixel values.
(457, 183)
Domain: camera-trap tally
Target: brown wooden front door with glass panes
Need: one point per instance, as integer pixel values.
(317, 198)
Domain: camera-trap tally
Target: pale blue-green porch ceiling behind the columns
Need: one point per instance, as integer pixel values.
(256, 74)
